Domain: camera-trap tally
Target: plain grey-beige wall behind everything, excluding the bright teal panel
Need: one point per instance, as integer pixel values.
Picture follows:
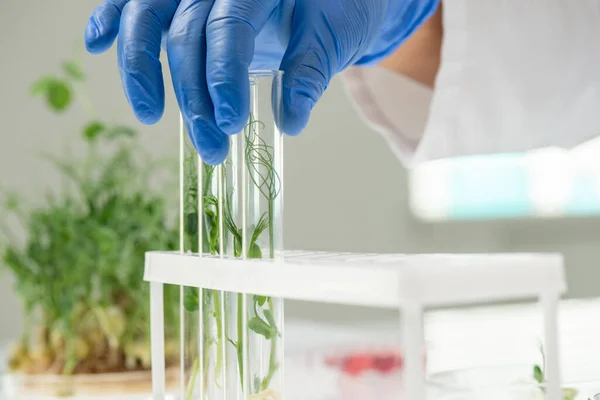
(344, 189)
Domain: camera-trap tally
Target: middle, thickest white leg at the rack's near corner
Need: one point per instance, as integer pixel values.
(413, 337)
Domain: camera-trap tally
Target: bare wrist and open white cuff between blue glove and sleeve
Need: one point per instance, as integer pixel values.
(394, 96)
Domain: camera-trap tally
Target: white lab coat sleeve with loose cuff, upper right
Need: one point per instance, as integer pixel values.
(515, 75)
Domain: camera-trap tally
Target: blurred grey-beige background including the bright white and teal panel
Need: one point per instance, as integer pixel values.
(344, 188)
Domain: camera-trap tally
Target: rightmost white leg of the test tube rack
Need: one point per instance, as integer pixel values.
(553, 381)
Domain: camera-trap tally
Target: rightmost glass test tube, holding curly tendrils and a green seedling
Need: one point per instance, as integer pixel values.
(261, 179)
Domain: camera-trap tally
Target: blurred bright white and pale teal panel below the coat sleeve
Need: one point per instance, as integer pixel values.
(500, 186)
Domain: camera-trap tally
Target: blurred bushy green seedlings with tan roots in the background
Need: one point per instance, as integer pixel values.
(79, 269)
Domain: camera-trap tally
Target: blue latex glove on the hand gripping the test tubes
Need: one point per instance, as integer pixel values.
(211, 45)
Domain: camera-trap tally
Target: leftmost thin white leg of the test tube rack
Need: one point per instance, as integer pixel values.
(157, 341)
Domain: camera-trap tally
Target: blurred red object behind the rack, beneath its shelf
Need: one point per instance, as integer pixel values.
(358, 363)
